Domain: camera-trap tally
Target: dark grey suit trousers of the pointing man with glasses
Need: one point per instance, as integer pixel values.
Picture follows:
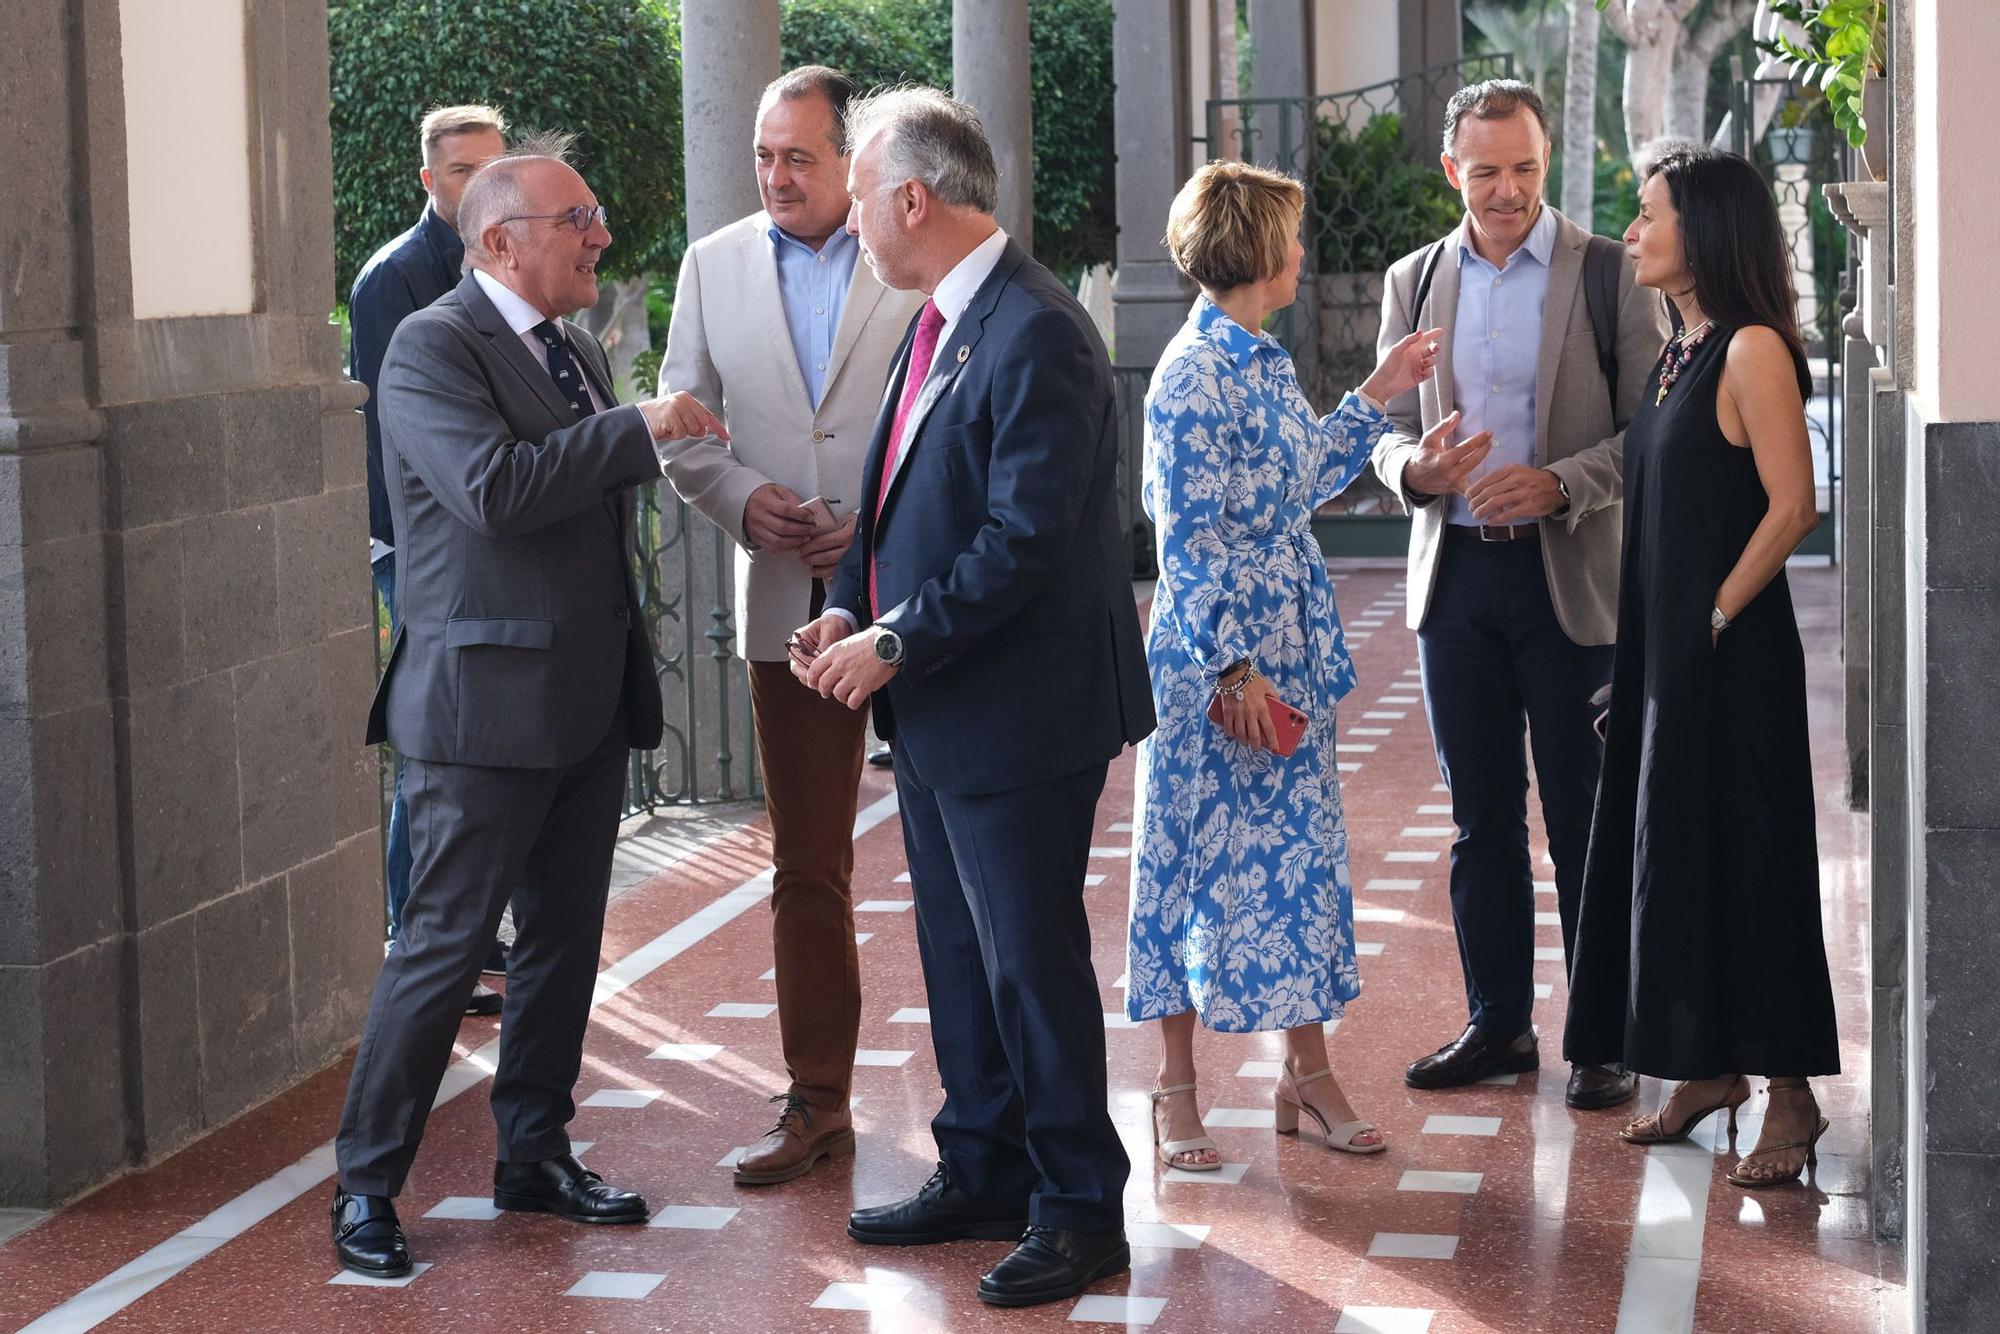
(481, 837)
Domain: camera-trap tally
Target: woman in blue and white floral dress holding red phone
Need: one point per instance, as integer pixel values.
(1241, 899)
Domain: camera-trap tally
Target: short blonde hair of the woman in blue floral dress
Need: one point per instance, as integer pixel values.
(1235, 225)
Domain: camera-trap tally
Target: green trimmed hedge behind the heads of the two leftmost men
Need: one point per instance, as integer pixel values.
(605, 69)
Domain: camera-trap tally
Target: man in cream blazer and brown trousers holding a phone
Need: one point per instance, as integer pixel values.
(785, 337)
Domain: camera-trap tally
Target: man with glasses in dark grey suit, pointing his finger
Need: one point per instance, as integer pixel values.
(519, 679)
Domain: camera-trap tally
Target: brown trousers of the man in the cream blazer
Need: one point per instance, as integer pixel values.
(811, 753)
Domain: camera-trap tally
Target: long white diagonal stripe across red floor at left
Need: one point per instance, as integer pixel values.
(129, 1283)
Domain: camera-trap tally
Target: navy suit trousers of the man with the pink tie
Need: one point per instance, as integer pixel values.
(1015, 1011)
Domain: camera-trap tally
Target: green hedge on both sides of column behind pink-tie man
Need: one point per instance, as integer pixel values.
(1071, 59)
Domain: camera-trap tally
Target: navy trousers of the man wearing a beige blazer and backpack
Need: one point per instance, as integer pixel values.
(1501, 677)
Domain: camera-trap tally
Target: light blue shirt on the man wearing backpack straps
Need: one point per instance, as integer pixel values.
(1497, 347)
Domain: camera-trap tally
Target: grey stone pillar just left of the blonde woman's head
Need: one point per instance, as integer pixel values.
(1151, 69)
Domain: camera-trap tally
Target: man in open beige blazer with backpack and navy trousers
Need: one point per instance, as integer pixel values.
(1515, 559)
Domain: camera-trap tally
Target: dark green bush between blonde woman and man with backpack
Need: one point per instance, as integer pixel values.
(1375, 201)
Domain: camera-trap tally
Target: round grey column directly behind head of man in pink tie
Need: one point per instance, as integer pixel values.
(991, 73)
